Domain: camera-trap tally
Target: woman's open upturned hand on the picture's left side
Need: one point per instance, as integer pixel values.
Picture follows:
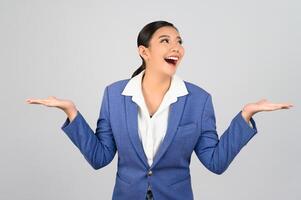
(66, 105)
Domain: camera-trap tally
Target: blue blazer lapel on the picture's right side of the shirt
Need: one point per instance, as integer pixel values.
(176, 110)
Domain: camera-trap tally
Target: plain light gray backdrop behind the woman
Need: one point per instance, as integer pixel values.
(239, 51)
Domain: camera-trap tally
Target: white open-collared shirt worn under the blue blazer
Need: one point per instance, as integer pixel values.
(153, 129)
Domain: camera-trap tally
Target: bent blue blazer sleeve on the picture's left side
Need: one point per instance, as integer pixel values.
(98, 148)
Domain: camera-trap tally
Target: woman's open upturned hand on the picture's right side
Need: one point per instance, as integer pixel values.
(263, 105)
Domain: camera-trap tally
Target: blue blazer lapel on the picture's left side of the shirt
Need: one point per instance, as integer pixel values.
(132, 126)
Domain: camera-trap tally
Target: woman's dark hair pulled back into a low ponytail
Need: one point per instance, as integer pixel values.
(145, 36)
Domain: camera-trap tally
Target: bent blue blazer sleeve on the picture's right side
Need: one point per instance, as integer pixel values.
(217, 154)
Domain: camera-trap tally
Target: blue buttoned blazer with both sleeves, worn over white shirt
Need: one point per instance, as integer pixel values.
(191, 128)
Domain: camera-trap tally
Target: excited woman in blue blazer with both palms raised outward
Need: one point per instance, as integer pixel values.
(155, 120)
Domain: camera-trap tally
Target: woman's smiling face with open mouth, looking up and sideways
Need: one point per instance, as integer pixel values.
(165, 51)
